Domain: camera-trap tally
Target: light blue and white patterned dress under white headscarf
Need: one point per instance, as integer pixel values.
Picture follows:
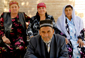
(73, 38)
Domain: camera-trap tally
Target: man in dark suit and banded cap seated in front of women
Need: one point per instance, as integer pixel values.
(47, 44)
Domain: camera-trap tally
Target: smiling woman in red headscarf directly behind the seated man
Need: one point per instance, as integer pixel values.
(41, 14)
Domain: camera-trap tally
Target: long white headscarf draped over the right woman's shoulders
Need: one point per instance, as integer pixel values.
(77, 22)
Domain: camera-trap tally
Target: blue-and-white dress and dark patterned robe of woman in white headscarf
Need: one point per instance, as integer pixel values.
(72, 45)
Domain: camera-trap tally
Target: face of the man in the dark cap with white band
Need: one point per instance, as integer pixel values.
(46, 33)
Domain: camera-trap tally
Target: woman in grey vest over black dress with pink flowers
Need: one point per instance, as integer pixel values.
(13, 32)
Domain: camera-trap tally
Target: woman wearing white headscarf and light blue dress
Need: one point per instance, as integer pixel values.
(71, 26)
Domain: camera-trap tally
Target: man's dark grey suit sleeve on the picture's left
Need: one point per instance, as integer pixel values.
(30, 49)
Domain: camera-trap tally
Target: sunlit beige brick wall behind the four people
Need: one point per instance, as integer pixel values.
(54, 7)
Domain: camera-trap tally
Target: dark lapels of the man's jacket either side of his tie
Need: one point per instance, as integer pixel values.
(52, 47)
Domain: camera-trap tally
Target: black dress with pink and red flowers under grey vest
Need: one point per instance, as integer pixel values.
(16, 36)
